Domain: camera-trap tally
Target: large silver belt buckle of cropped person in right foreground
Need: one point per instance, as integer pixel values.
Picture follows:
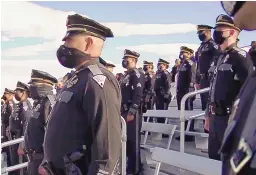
(244, 154)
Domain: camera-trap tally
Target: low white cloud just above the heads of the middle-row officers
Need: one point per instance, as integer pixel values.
(168, 52)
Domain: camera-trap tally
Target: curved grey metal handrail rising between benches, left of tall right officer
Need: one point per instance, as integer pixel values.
(182, 116)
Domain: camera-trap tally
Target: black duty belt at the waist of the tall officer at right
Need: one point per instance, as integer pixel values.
(218, 109)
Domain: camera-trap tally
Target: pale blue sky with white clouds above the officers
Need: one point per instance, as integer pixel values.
(31, 32)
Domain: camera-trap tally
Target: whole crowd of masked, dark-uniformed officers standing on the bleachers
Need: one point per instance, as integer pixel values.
(78, 129)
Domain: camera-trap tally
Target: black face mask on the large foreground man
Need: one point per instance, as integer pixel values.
(70, 57)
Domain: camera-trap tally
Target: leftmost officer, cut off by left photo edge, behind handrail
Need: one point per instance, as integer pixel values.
(6, 111)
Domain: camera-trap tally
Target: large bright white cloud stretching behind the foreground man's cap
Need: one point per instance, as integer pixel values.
(29, 20)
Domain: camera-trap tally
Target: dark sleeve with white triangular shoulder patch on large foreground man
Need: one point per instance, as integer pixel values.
(101, 103)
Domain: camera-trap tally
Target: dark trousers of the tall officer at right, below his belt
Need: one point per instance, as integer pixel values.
(218, 125)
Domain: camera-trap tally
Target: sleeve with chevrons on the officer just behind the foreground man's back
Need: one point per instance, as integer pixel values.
(138, 82)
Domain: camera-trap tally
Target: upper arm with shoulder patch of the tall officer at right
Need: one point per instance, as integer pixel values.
(244, 66)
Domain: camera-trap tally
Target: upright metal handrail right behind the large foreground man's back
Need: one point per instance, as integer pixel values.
(124, 140)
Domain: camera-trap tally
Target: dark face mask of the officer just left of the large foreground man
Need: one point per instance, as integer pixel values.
(39, 91)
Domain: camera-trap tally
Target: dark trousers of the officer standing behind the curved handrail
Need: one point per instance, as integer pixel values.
(188, 105)
